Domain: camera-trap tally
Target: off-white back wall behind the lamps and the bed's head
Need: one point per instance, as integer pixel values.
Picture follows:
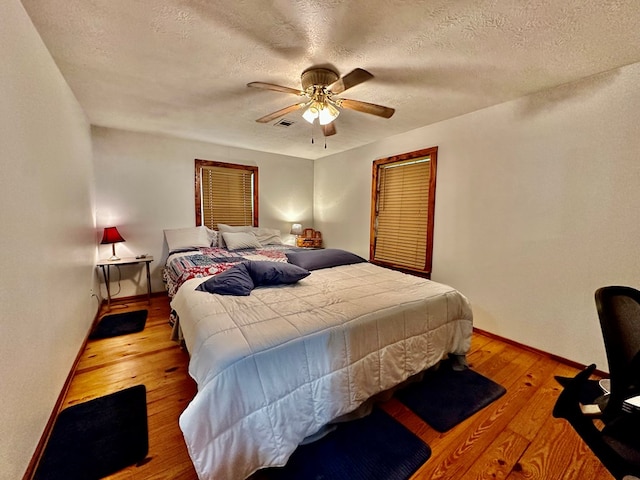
(145, 184)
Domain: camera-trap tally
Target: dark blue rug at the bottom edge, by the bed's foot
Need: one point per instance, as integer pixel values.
(375, 447)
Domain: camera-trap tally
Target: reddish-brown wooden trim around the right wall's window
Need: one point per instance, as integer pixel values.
(432, 153)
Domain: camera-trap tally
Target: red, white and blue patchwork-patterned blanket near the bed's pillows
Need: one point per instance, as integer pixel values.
(206, 261)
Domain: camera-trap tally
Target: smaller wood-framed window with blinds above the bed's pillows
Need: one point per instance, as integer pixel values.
(226, 193)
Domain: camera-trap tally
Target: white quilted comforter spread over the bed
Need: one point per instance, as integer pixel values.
(274, 367)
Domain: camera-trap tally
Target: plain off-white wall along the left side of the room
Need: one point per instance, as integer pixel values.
(48, 236)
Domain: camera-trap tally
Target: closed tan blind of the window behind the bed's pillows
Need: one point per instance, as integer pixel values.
(227, 196)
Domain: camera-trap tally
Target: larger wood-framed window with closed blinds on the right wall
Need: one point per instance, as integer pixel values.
(402, 207)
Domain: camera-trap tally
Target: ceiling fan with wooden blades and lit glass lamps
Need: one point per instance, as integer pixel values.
(319, 86)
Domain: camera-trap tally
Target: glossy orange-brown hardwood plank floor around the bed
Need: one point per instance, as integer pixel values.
(514, 438)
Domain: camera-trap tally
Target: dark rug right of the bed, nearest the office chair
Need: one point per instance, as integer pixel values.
(445, 397)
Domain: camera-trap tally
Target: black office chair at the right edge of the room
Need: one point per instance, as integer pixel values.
(617, 445)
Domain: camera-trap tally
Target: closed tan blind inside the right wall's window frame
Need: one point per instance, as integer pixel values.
(402, 213)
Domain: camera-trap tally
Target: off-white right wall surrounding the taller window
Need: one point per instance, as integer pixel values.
(537, 205)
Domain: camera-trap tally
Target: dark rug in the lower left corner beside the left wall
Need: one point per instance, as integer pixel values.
(97, 438)
